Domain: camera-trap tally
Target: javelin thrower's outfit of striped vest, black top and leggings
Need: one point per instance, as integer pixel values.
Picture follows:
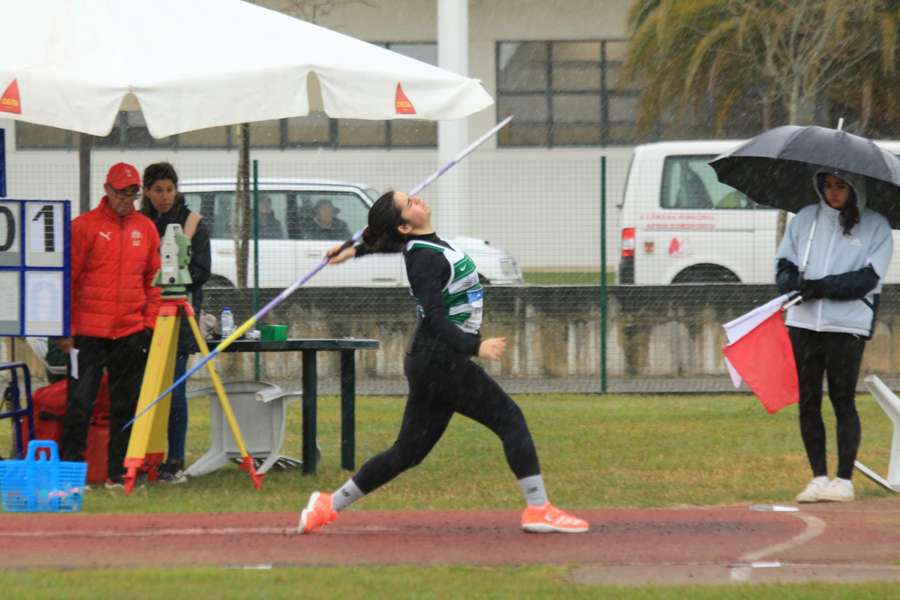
(442, 378)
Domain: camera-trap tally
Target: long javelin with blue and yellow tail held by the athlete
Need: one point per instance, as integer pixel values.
(293, 287)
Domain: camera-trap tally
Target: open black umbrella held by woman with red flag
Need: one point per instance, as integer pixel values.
(776, 168)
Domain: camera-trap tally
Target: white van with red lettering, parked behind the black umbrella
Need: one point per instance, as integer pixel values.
(681, 225)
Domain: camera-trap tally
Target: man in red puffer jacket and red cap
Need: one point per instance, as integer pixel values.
(115, 256)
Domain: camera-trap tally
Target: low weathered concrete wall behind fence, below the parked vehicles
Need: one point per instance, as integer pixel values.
(553, 332)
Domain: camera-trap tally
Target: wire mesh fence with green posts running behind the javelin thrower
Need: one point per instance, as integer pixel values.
(684, 257)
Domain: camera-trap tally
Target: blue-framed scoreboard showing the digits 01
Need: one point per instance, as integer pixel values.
(34, 267)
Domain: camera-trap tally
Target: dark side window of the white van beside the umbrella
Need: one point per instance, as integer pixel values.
(690, 183)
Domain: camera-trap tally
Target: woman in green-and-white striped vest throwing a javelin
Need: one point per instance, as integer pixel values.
(442, 378)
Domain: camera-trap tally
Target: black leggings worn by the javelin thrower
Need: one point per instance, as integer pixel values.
(437, 389)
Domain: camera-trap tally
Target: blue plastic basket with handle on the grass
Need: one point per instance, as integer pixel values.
(41, 482)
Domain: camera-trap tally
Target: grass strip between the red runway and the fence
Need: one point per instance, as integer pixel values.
(595, 451)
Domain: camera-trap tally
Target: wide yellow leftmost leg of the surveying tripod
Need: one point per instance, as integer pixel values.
(147, 443)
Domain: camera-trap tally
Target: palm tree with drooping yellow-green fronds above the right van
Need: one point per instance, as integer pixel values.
(688, 52)
